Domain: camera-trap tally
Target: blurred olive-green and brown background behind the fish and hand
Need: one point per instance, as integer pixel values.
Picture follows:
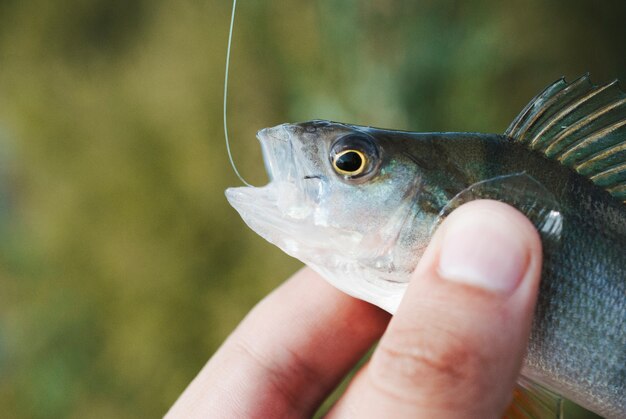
(122, 267)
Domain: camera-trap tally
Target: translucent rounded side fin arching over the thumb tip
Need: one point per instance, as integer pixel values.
(521, 191)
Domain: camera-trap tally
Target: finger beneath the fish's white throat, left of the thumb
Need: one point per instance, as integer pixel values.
(286, 356)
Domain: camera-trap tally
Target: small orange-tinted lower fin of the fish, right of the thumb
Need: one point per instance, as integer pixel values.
(531, 400)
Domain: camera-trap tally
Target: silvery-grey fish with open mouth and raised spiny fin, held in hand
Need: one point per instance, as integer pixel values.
(359, 205)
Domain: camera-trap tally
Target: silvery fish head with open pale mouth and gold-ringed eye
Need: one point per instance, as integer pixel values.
(339, 199)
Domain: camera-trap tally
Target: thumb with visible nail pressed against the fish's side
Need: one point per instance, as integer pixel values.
(456, 344)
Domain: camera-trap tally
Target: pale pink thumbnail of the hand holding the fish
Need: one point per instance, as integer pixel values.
(481, 249)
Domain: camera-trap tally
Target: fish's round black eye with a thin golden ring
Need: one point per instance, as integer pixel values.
(355, 157)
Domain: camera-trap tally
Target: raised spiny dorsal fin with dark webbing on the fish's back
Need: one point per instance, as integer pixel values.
(582, 126)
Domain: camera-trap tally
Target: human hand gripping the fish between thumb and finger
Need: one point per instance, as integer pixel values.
(453, 349)
